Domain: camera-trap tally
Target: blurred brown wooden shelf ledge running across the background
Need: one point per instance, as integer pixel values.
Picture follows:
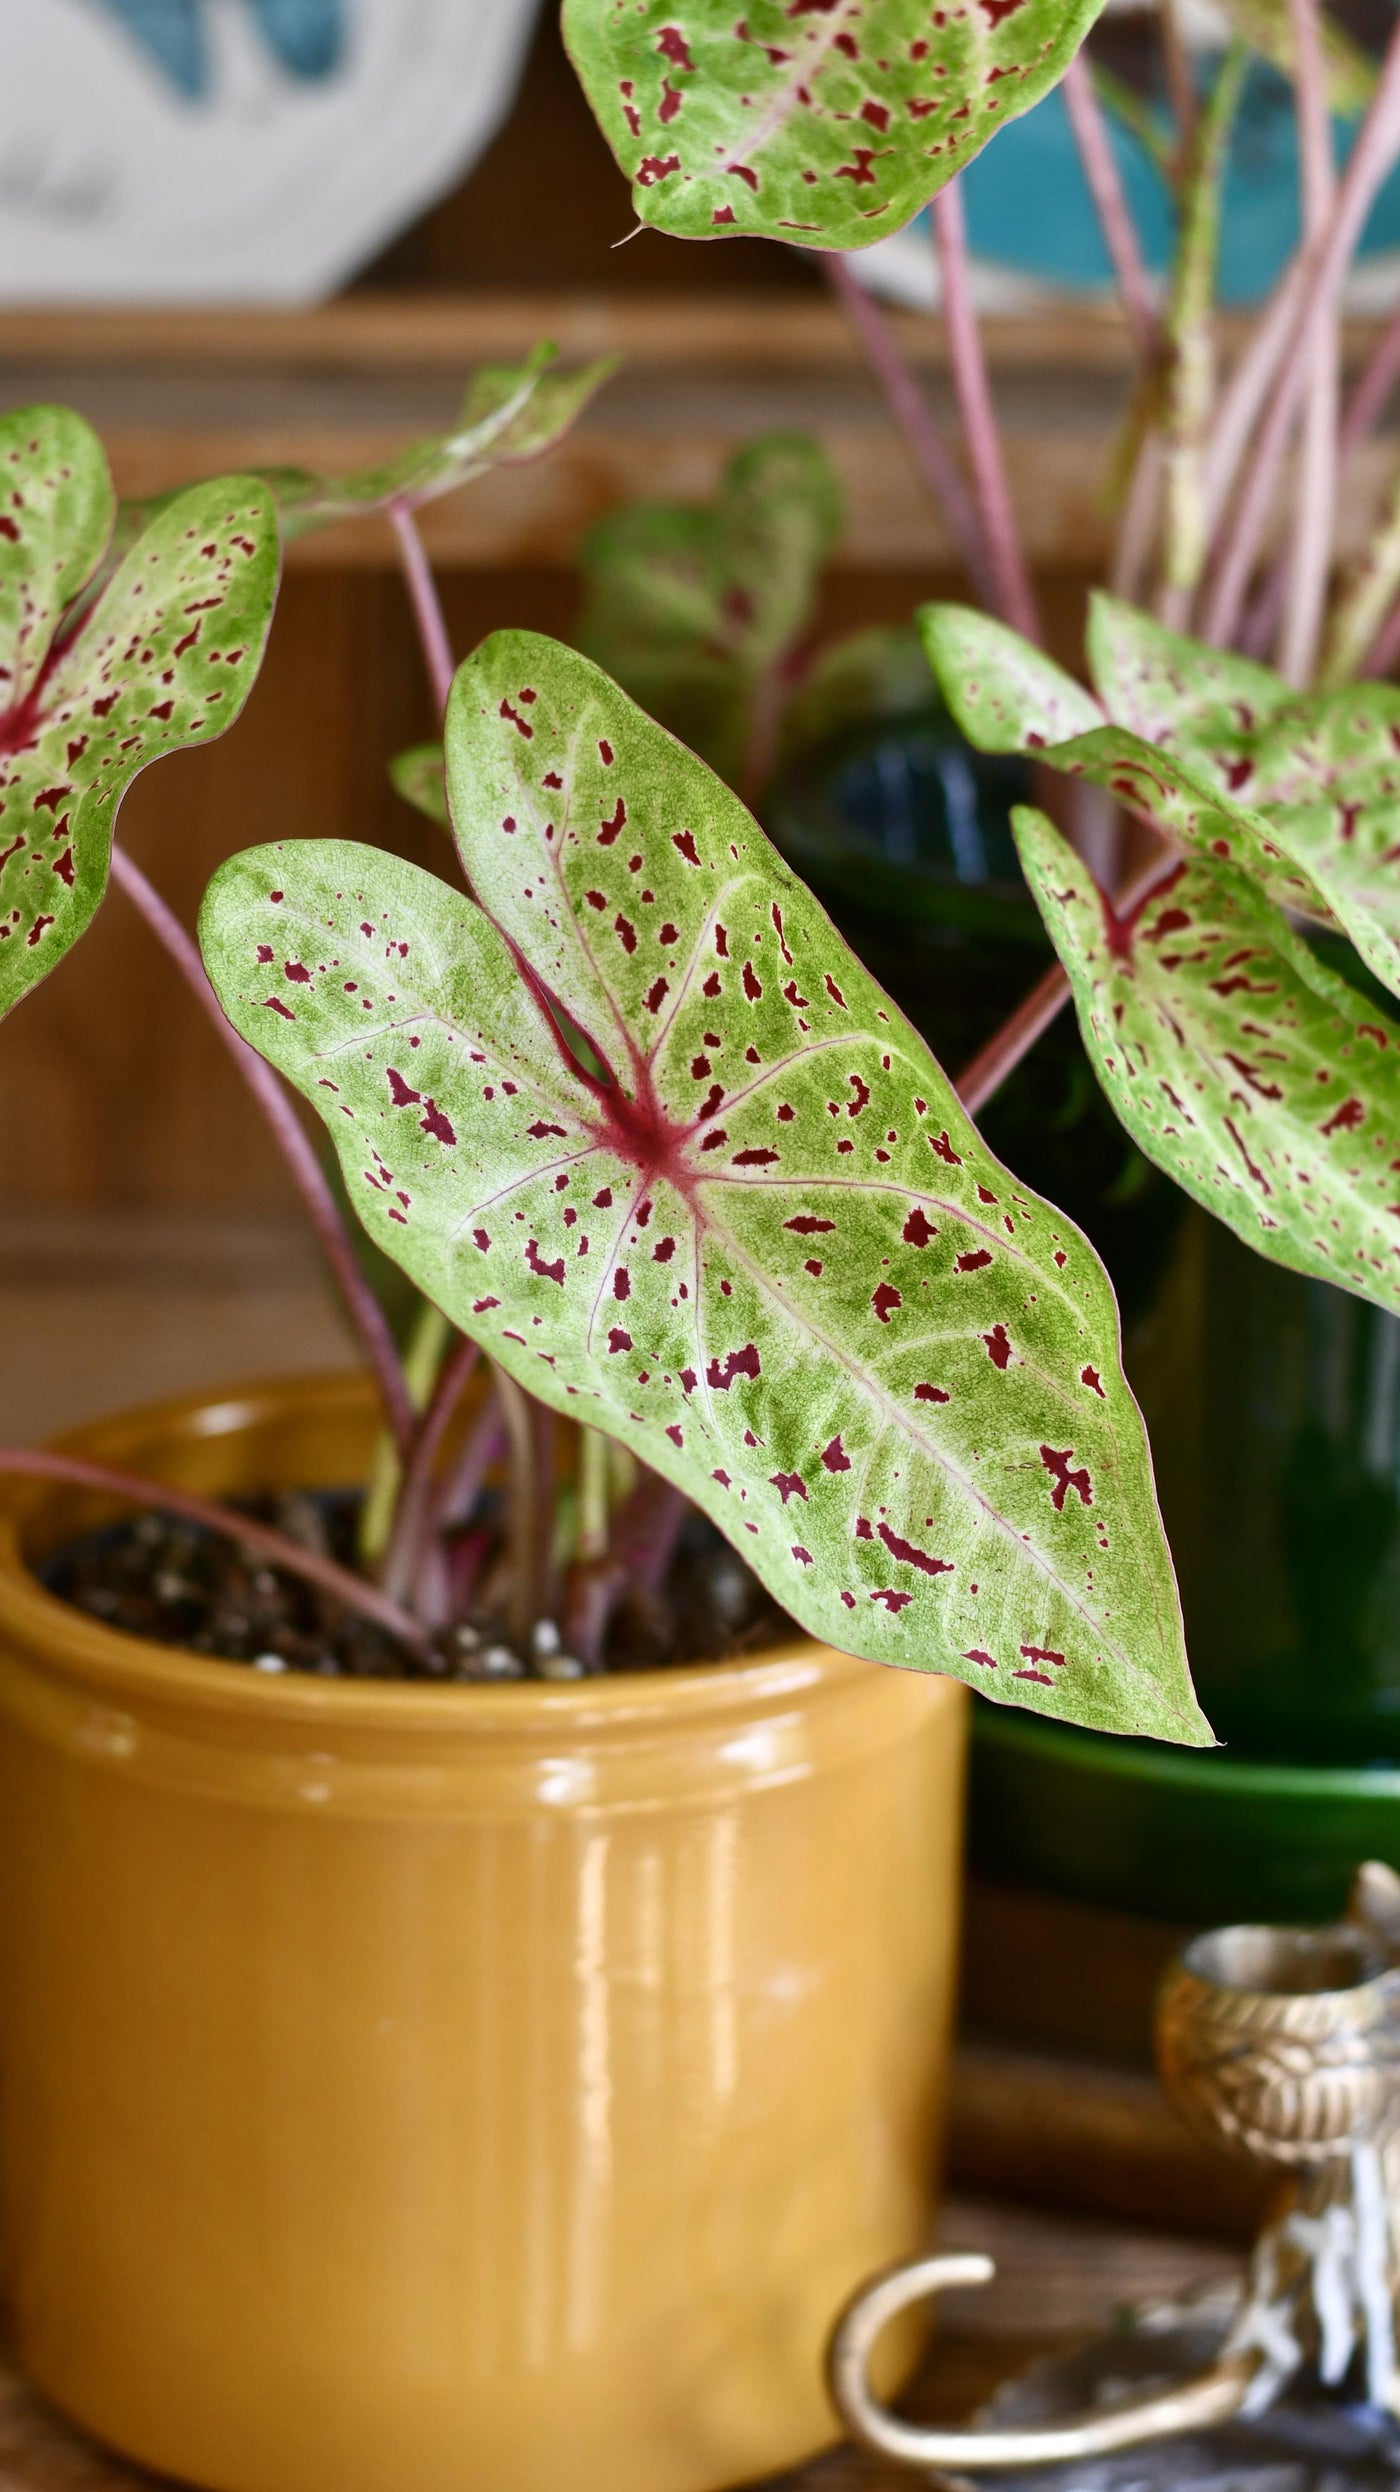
(186, 395)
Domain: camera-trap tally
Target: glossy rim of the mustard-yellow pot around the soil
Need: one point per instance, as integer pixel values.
(116, 1668)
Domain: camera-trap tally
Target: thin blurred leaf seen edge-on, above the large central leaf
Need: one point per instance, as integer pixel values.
(509, 412)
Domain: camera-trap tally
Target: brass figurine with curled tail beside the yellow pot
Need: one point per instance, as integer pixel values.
(1287, 2047)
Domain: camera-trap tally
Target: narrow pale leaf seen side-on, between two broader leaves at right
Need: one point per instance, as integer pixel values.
(1008, 699)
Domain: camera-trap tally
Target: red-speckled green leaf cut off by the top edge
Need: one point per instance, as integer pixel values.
(808, 121)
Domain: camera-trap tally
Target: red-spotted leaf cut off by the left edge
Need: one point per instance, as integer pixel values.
(163, 659)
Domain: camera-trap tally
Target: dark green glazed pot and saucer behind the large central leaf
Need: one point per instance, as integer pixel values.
(1272, 1402)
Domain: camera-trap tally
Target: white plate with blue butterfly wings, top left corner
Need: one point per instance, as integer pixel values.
(235, 151)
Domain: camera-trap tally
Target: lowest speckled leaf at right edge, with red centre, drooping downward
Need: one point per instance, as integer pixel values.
(1262, 1083)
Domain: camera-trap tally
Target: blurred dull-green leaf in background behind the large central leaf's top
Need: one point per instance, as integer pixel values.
(696, 607)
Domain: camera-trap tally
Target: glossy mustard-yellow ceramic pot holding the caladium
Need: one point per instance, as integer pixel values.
(432, 2087)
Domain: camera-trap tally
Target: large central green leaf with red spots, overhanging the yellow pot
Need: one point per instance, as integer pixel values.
(761, 1245)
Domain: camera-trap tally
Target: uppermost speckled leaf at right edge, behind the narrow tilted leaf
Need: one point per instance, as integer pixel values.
(1317, 771)
